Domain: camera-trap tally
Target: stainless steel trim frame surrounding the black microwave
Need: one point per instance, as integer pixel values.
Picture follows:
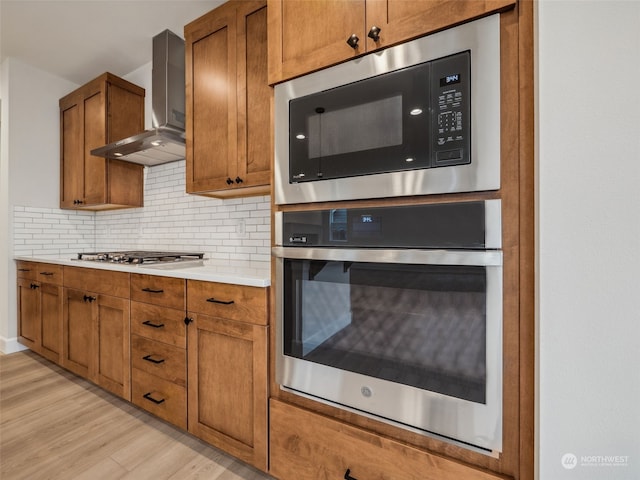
(482, 37)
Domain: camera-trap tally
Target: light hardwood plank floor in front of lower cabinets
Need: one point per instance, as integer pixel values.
(54, 425)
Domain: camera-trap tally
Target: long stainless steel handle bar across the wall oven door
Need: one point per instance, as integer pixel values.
(484, 258)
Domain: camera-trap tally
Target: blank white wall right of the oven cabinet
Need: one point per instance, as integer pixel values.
(588, 125)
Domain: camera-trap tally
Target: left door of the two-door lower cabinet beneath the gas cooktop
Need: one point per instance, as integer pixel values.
(79, 312)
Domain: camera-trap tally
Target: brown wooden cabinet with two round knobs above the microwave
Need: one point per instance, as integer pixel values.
(308, 35)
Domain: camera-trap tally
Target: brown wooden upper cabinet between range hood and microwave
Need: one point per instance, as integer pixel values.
(228, 101)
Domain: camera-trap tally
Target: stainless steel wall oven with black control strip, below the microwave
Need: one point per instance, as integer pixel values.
(396, 313)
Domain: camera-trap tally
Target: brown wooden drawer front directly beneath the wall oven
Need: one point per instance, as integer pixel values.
(321, 447)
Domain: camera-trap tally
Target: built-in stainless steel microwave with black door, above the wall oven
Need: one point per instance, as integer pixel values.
(419, 118)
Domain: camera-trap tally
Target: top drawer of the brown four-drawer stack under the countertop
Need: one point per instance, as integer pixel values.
(165, 291)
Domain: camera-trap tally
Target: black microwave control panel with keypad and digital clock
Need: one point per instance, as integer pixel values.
(451, 112)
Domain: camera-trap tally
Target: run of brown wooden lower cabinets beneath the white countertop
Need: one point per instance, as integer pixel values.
(207, 373)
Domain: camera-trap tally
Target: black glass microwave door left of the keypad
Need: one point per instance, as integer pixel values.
(376, 125)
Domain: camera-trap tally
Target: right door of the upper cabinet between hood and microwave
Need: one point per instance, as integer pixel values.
(254, 94)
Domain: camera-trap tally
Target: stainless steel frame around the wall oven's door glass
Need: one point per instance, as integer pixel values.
(451, 419)
